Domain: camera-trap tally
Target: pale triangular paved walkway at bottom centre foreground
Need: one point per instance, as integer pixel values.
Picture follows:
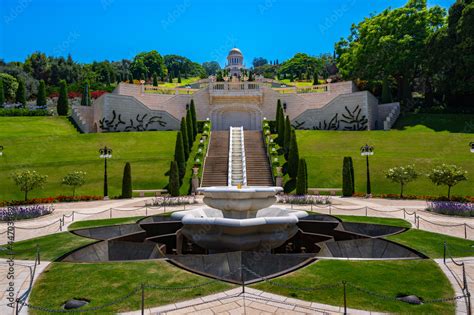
(251, 302)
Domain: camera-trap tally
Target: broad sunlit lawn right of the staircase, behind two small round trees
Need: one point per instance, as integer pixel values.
(325, 150)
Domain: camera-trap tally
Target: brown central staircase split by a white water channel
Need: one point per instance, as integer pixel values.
(257, 166)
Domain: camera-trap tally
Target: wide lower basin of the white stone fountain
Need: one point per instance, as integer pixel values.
(208, 228)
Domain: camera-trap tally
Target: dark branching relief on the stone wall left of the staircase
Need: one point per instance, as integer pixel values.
(140, 123)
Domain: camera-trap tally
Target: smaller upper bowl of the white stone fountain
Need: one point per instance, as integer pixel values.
(240, 203)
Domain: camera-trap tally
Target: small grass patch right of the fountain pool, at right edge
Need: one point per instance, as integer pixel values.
(431, 244)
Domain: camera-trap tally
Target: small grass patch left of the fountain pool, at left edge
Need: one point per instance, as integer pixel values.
(51, 246)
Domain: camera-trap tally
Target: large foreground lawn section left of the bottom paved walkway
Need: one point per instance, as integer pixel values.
(105, 282)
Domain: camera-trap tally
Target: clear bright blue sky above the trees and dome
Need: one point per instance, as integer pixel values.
(200, 30)
